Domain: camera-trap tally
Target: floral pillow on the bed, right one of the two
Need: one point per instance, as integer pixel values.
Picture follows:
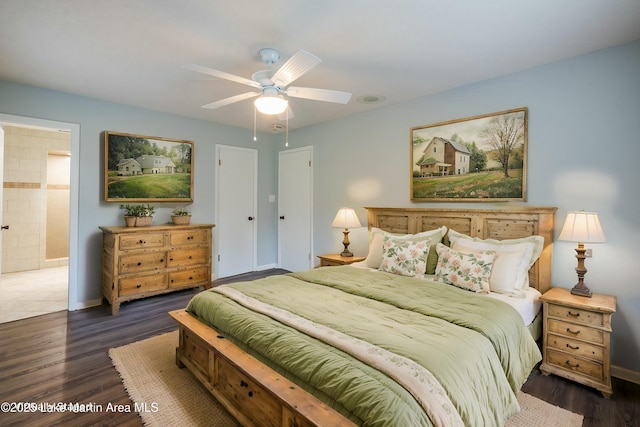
(469, 271)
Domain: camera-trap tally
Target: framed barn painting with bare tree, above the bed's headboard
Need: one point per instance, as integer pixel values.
(477, 159)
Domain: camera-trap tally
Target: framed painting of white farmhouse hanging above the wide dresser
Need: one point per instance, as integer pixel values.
(146, 169)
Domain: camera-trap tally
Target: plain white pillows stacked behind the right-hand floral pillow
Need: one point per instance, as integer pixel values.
(514, 258)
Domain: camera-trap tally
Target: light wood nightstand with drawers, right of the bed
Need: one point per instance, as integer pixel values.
(576, 338)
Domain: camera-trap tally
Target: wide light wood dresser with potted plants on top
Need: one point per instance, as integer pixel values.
(138, 262)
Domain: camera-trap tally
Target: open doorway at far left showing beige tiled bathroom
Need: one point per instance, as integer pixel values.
(36, 197)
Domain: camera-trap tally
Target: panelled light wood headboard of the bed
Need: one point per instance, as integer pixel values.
(496, 224)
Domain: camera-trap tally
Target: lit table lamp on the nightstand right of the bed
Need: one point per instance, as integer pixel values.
(582, 227)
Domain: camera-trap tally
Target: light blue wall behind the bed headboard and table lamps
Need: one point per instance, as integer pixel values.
(584, 152)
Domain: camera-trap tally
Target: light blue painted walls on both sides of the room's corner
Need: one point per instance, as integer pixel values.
(584, 127)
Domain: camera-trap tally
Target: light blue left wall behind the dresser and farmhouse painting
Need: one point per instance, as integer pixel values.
(94, 117)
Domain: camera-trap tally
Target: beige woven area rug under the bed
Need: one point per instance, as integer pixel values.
(173, 396)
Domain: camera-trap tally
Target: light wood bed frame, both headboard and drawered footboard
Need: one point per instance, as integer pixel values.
(215, 361)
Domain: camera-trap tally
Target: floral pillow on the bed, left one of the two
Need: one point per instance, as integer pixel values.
(405, 257)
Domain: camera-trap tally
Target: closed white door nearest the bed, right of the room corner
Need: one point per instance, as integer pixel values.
(295, 186)
